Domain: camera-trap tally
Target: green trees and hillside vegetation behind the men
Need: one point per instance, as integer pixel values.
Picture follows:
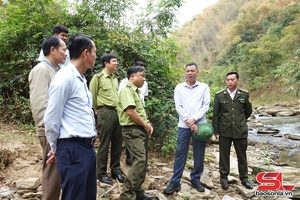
(258, 38)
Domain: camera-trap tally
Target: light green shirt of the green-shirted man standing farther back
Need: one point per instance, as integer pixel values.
(104, 89)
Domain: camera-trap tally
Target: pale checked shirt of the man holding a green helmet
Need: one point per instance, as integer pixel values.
(191, 102)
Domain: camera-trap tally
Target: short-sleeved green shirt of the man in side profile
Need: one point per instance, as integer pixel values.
(130, 96)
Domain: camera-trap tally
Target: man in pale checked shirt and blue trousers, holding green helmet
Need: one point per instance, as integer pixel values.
(192, 100)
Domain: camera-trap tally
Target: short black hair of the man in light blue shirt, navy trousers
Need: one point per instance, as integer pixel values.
(78, 43)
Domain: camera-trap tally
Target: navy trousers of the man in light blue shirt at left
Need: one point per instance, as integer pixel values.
(76, 163)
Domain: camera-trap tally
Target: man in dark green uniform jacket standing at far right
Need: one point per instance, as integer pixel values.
(231, 110)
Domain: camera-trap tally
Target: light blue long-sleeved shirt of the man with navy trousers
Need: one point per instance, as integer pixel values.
(69, 112)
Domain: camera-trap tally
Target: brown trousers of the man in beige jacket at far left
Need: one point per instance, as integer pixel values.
(50, 175)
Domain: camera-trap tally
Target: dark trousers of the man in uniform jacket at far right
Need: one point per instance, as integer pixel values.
(240, 146)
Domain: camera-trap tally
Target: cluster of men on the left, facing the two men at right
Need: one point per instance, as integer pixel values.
(64, 109)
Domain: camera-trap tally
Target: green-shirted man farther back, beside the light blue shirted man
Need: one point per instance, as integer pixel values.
(104, 87)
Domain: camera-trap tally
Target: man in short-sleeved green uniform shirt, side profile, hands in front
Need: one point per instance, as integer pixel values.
(135, 131)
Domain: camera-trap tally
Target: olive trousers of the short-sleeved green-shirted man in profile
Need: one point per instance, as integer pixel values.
(136, 140)
